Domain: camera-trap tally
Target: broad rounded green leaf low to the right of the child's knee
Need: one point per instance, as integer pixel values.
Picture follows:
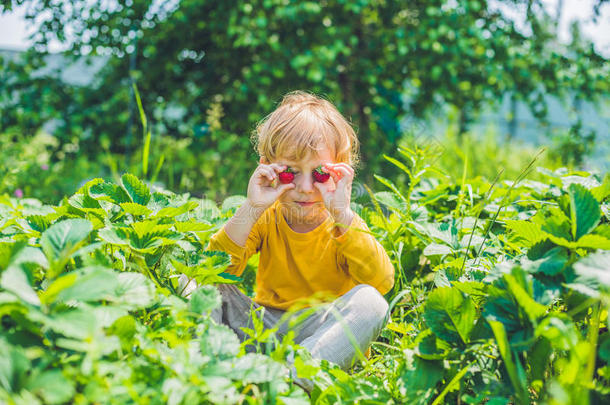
(450, 315)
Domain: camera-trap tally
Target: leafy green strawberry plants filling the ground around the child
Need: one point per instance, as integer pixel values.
(501, 296)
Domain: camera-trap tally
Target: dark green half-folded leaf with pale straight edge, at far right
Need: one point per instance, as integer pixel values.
(584, 209)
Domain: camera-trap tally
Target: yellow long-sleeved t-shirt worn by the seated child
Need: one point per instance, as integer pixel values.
(293, 266)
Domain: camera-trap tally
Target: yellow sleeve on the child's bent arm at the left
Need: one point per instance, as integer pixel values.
(239, 254)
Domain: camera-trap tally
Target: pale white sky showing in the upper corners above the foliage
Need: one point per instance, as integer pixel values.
(14, 30)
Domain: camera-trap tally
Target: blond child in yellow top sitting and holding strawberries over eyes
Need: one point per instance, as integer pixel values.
(307, 235)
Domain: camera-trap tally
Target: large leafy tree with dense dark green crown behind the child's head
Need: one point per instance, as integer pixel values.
(242, 56)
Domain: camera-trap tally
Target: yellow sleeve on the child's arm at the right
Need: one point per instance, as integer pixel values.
(363, 257)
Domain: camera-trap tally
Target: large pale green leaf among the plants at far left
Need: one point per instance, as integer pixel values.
(63, 238)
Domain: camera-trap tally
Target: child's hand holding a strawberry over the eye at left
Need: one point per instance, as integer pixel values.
(261, 193)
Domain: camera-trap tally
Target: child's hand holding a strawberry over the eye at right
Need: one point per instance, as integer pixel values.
(337, 200)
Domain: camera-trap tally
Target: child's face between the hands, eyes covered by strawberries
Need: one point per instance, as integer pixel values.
(304, 204)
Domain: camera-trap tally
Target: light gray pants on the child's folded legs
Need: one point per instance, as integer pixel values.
(329, 331)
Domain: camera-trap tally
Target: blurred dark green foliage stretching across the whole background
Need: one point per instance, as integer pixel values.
(208, 71)
